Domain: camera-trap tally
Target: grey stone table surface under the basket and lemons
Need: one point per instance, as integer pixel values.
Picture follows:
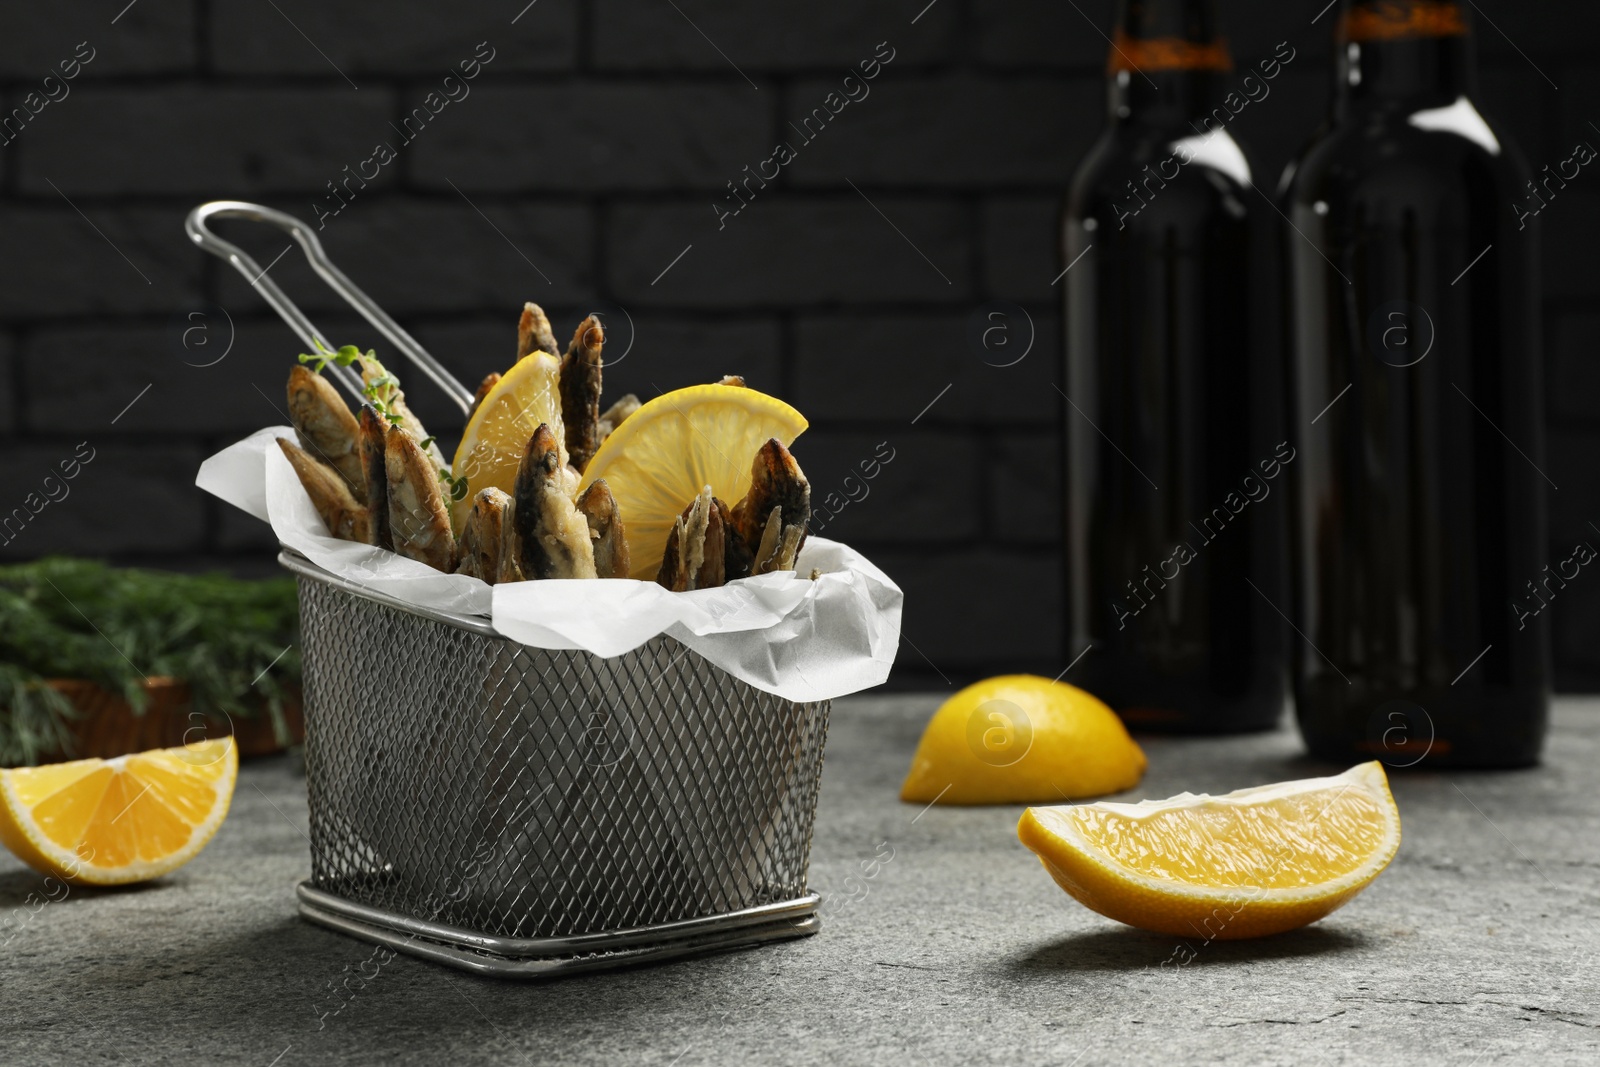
(1478, 946)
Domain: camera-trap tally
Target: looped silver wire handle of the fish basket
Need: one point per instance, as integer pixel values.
(198, 226)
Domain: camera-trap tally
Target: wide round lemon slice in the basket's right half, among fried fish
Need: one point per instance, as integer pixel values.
(678, 444)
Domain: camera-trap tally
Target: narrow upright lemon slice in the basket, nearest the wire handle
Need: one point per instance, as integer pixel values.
(497, 436)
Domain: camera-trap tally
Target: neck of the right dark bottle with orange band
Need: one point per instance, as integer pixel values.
(1414, 54)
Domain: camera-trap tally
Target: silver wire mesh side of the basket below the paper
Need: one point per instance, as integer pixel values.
(540, 794)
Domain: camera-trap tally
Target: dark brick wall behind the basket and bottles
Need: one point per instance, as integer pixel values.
(586, 159)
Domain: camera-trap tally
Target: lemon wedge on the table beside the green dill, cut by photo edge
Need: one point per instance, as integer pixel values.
(118, 821)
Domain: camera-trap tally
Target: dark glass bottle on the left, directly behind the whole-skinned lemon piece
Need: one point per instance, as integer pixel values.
(1172, 481)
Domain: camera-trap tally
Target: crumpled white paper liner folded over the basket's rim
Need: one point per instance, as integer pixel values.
(799, 639)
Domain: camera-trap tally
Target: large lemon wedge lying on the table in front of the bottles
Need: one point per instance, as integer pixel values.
(1246, 865)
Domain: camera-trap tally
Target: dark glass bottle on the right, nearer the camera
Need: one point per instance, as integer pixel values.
(1418, 513)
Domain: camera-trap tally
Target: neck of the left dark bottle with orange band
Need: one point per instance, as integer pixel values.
(1167, 62)
